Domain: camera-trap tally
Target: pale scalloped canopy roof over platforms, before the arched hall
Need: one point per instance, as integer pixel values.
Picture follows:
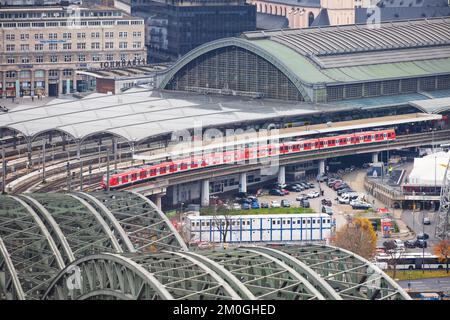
(139, 113)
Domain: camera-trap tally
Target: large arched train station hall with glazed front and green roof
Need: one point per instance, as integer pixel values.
(321, 65)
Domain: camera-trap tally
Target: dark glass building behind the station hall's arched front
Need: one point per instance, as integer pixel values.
(175, 27)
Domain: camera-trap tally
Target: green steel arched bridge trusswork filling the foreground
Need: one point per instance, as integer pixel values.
(118, 245)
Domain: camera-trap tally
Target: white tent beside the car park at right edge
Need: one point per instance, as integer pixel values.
(429, 170)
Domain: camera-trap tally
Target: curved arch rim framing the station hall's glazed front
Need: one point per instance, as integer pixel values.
(243, 44)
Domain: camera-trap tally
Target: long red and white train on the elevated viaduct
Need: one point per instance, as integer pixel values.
(136, 175)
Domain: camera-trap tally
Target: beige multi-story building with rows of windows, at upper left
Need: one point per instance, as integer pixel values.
(43, 49)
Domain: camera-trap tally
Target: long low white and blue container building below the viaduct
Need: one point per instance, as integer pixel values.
(259, 228)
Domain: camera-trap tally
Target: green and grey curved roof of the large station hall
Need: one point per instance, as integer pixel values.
(357, 53)
